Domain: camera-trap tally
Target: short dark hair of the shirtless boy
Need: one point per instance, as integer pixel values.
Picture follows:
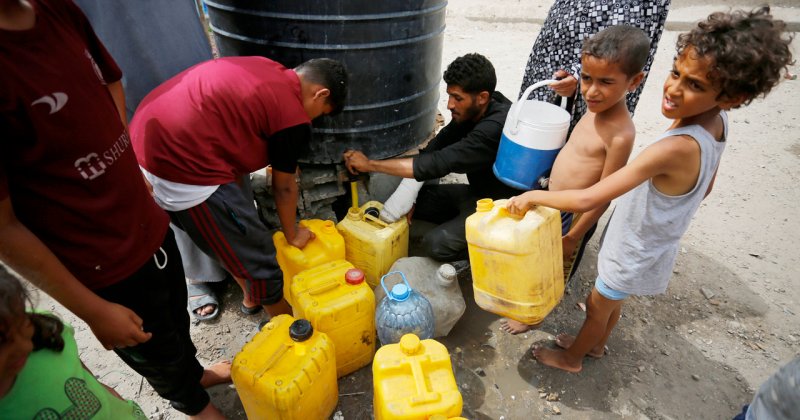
(625, 45)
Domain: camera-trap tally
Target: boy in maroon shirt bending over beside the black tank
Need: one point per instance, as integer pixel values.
(199, 135)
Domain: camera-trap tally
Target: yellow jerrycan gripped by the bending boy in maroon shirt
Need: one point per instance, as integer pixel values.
(328, 245)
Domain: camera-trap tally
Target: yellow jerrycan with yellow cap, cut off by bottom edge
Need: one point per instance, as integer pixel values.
(414, 380)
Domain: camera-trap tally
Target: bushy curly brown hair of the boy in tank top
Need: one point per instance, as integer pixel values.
(748, 51)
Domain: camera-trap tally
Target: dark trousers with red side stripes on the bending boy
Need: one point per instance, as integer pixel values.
(227, 227)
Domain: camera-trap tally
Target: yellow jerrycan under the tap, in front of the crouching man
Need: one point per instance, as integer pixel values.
(372, 244)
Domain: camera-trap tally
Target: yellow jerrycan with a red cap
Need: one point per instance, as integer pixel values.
(337, 301)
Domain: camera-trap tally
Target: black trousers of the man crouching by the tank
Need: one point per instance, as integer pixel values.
(448, 206)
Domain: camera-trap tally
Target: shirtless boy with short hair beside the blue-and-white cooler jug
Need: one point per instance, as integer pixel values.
(601, 143)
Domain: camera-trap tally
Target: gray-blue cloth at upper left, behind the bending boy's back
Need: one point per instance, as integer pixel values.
(151, 41)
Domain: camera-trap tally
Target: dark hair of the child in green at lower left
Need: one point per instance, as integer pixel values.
(13, 303)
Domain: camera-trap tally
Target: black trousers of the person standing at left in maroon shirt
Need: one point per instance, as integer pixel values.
(157, 293)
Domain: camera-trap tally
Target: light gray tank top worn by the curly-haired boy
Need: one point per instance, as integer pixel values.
(642, 238)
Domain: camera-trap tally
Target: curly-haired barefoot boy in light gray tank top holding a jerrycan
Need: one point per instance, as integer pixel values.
(725, 62)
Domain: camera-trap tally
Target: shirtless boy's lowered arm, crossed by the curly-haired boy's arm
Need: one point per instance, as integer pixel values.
(617, 154)
